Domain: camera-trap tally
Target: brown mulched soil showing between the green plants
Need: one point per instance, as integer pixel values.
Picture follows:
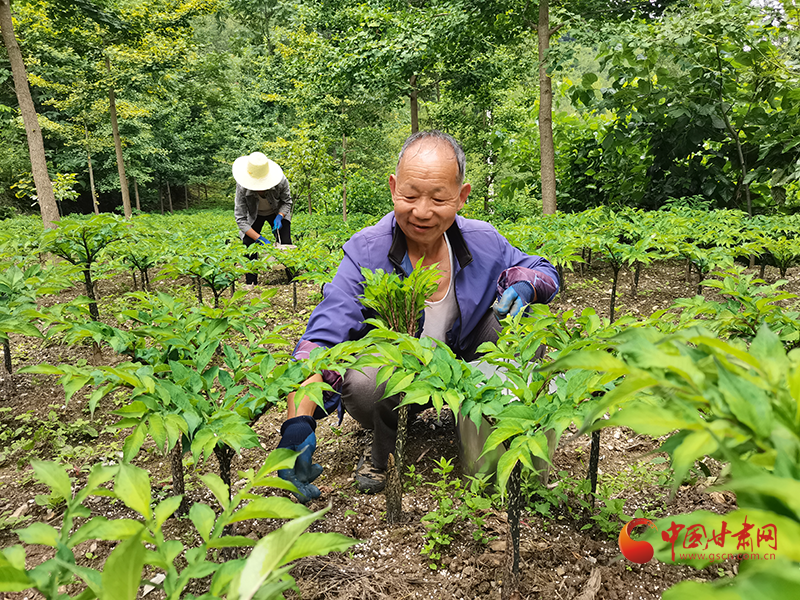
(560, 558)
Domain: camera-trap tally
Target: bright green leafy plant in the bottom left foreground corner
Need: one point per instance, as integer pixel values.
(142, 540)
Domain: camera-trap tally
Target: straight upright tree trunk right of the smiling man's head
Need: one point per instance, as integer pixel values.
(547, 151)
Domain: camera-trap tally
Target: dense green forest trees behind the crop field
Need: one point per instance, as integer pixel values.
(654, 102)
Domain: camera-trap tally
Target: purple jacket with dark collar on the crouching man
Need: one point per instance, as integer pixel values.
(486, 265)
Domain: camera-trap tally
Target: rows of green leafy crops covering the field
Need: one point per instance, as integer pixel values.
(719, 377)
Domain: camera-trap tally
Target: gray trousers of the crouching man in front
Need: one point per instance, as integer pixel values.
(363, 400)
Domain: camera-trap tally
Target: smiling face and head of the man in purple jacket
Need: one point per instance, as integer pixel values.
(426, 192)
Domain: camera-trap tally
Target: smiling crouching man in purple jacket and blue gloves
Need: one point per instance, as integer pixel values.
(478, 266)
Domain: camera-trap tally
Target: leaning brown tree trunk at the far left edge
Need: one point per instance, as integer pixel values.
(41, 178)
